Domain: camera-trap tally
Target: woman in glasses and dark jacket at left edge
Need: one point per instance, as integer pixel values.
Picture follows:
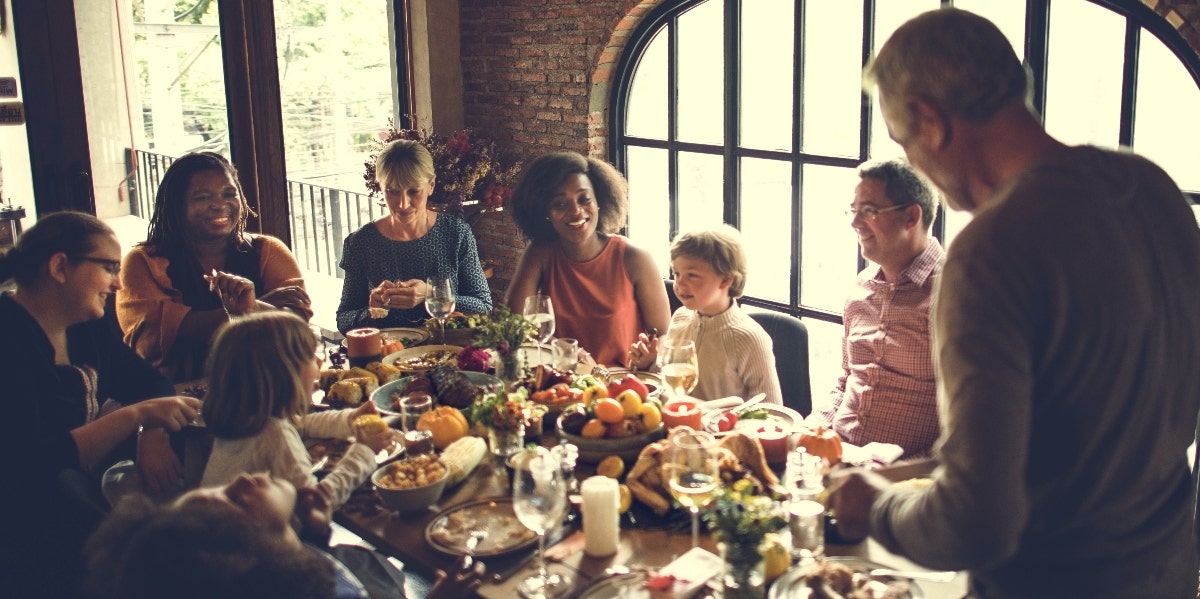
(73, 393)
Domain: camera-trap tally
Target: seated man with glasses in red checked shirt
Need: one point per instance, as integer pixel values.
(886, 392)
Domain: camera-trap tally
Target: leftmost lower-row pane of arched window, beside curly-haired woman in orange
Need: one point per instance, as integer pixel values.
(650, 213)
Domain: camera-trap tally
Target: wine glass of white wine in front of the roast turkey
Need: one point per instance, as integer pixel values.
(692, 474)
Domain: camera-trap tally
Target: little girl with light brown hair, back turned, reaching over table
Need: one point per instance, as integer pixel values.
(262, 372)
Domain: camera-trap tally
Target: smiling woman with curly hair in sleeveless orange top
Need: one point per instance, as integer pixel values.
(605, 291)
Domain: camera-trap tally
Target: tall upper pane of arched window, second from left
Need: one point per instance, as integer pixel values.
(701, 74)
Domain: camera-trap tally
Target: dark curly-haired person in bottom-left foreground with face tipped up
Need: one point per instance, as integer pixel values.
(255, 537)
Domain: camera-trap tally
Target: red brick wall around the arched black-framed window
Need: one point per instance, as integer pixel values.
(537, 74)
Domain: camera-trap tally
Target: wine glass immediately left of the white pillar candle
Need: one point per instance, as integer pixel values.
(539, 500)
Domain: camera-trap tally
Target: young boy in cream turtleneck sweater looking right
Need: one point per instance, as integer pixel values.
(734, 352)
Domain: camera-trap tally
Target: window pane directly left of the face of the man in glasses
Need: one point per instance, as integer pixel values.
(829, 247)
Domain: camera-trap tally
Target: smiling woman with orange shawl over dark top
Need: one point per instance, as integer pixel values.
(199, 267)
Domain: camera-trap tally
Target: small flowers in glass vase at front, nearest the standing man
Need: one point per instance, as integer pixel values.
(740, 520)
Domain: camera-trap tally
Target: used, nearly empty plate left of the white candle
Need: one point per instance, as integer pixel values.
(449, 531)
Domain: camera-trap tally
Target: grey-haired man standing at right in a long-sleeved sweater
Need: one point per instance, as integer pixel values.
(1066, 339)
